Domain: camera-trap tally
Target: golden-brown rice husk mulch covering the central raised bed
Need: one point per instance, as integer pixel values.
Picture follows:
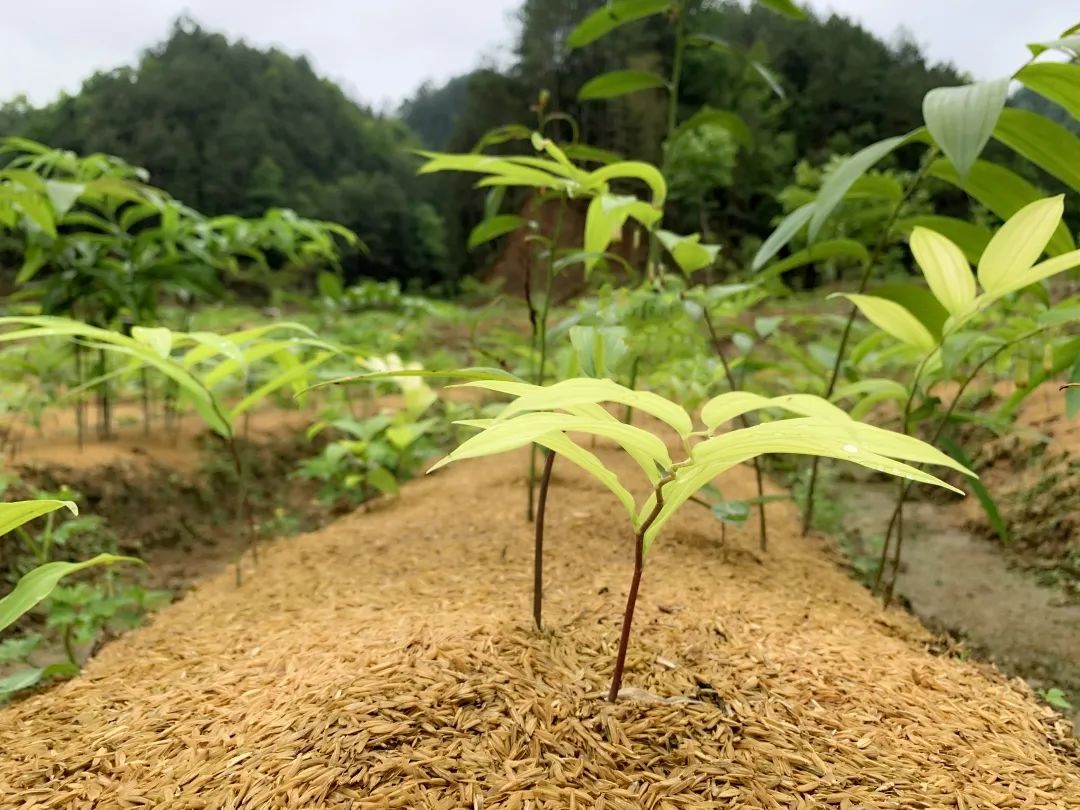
(389, 661)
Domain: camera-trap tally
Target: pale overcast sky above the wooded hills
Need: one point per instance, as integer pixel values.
(382, 50)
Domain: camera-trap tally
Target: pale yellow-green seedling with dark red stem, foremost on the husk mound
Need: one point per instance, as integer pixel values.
(549, 415)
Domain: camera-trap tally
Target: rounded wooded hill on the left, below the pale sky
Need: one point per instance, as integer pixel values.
(228, 128)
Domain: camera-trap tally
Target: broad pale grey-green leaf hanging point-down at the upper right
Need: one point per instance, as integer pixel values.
(962, 119)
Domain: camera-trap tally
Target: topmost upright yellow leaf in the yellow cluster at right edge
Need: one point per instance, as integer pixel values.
(1019, 245)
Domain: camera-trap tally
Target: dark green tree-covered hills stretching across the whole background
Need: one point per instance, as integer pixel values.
(228, 128)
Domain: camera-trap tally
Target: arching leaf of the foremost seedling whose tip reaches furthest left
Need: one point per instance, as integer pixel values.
(510, 435)
